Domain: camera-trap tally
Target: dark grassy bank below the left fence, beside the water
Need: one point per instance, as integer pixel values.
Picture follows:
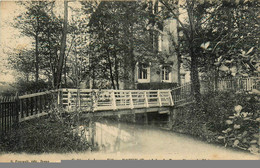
(42, 135)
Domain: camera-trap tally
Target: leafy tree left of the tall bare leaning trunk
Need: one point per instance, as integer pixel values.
(40, 23)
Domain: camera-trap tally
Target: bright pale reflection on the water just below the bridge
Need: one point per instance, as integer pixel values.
(107, 137)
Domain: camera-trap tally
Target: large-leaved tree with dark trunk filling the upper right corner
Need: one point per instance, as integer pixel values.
(214, 32)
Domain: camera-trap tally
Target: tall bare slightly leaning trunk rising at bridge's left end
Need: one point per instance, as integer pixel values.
(63, 46)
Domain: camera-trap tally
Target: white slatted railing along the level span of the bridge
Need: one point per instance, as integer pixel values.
(98, 100)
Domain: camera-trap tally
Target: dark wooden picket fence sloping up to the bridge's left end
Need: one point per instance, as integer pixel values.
(17, 109)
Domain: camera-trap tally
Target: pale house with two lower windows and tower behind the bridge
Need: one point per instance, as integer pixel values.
(164, 74)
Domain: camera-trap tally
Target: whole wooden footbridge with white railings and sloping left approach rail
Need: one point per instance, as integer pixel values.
(98, 102)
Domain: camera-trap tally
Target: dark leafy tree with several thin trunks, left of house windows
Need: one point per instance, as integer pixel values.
(119, 34)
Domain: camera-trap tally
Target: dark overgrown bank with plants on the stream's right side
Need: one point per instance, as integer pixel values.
(226, 118)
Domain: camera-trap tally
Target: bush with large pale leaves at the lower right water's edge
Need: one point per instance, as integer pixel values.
(242, 130)
